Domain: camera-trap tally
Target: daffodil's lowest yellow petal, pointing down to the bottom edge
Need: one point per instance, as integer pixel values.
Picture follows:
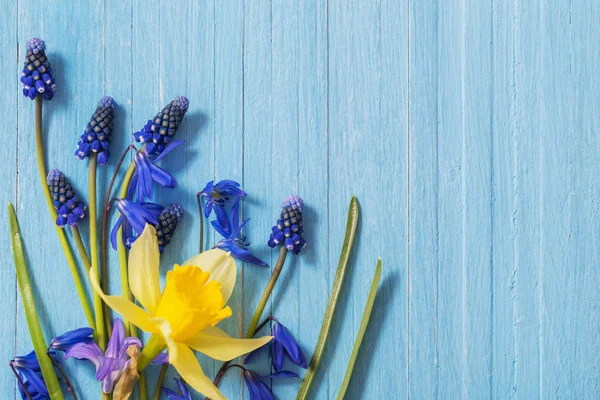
(185, 362)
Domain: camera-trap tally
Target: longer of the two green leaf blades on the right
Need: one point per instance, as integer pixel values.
(351, 224)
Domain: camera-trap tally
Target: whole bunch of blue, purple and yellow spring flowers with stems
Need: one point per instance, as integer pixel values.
(171, 315)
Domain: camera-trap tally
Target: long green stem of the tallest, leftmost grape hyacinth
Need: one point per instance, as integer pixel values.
(39, 144)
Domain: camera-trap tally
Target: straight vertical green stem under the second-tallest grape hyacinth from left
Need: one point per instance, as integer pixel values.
(98, 311)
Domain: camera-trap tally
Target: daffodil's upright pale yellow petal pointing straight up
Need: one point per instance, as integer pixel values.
(144, 259)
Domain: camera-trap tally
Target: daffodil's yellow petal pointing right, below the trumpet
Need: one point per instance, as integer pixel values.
(216, 344)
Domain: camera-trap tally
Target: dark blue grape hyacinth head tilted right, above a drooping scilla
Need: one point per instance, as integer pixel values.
(158, 132)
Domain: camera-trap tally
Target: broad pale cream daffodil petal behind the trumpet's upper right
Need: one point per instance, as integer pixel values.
(221, 267)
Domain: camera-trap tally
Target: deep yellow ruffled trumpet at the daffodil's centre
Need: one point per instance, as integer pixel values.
(190, 302)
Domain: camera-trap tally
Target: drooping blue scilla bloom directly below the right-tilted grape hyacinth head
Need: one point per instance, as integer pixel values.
(147, 172)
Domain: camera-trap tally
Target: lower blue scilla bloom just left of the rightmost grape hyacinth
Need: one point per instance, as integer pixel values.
(234, 241)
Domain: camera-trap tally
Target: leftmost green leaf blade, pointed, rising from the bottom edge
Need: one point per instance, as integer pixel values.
(33, 322)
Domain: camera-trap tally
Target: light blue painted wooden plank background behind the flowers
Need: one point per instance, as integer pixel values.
(467, 129)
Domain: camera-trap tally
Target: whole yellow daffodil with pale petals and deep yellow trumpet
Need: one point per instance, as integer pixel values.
(183, 316)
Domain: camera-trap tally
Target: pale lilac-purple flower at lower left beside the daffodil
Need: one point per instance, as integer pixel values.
(110, 364)
